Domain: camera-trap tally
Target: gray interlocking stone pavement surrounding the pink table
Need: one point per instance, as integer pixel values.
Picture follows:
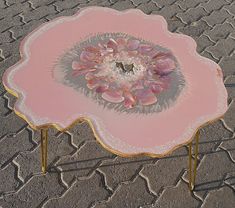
(81, 173)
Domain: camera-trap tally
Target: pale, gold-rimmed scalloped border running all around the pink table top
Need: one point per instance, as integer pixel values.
(93, 122)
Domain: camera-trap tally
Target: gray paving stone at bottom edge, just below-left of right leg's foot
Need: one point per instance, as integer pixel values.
(177, 197)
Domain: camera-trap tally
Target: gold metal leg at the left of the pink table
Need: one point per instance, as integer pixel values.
(44, 138)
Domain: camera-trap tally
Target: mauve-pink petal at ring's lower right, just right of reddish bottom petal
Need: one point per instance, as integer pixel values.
(145, 97)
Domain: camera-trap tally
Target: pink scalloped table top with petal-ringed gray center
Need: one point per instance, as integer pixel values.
(143, 89)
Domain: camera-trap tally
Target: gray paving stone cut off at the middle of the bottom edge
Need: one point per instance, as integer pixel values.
(133, 194)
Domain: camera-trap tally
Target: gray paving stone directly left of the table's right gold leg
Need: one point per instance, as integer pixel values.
(159, 174)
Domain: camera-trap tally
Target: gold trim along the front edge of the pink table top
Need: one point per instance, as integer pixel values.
(110, 149)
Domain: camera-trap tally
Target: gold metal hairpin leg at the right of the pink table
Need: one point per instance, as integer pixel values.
(192, 176)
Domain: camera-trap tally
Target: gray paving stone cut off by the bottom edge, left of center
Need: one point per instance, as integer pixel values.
(83, 193)
